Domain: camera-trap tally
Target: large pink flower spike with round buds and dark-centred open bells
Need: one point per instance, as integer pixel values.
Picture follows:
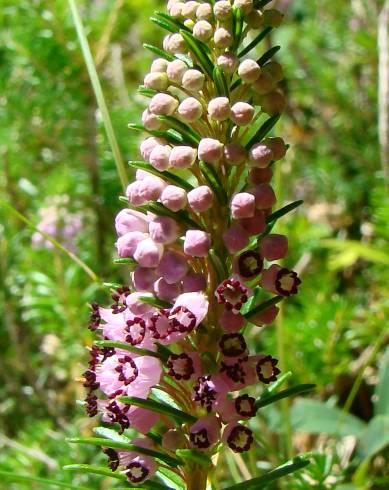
(196, 233)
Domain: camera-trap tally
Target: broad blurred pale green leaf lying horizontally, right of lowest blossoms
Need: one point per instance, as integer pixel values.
(314, 417)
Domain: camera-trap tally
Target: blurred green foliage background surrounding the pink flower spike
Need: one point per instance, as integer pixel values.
(54, 152)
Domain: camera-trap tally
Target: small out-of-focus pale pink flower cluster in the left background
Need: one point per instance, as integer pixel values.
(56, 220)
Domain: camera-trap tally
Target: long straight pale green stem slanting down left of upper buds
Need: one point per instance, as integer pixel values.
(94, 78)
